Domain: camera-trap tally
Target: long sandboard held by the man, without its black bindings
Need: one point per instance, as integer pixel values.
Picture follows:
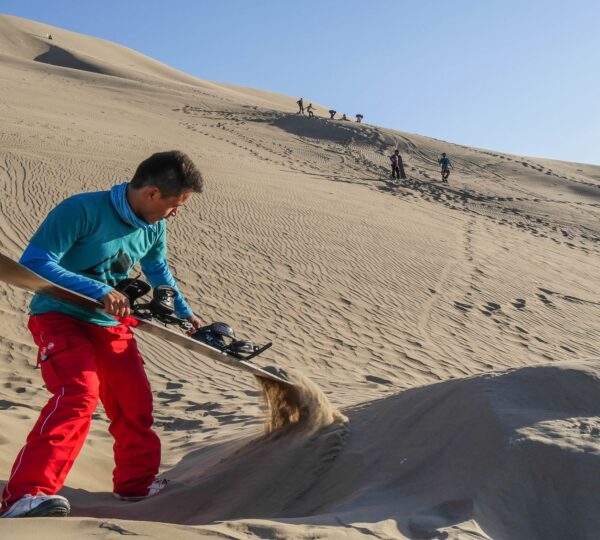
(17, 275)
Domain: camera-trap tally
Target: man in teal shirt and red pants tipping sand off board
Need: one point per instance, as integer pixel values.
(88, 243)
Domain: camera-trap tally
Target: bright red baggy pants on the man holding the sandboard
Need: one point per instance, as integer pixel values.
(81, 362)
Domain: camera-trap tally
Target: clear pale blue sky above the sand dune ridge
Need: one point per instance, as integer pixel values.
(520, 76)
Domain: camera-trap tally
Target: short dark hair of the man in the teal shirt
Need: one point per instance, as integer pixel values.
(172, 173)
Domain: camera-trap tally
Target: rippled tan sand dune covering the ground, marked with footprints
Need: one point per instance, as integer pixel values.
(444, 338)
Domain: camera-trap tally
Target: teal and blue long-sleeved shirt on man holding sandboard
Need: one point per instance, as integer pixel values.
(89, 243)
